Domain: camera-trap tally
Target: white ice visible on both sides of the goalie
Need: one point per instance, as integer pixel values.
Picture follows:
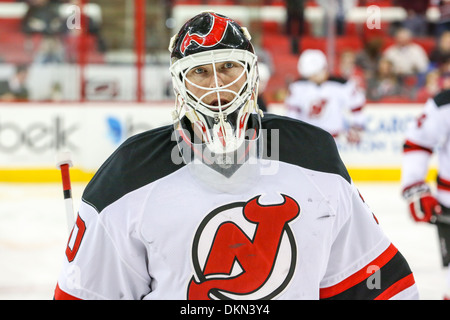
(33, 238)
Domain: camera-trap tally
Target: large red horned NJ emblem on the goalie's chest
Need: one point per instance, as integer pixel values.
(256, 255)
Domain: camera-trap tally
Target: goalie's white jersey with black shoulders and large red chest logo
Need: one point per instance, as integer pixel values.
(148, 228)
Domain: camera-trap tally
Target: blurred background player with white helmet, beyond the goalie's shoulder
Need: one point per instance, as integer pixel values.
(331, 103)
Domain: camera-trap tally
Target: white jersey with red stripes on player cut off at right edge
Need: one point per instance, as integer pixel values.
(430, 133)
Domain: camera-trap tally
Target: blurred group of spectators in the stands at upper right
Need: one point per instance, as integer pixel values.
(404, 69)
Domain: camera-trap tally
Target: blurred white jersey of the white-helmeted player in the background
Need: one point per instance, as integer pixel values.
(334, 105)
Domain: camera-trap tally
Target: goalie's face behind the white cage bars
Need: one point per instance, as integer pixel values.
(216, 86)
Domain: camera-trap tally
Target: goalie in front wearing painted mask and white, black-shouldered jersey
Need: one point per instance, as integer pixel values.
(226, 203)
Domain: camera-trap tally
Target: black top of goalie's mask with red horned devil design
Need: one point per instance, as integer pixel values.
(209, 31)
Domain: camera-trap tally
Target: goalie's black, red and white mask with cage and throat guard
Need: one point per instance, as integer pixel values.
(215, 80)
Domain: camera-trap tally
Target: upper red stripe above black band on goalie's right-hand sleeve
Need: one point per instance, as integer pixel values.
(360, 275)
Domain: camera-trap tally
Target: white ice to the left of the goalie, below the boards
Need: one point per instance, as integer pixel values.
(33, 238)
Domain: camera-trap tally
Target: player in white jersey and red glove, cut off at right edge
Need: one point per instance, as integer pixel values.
(430, 134)
